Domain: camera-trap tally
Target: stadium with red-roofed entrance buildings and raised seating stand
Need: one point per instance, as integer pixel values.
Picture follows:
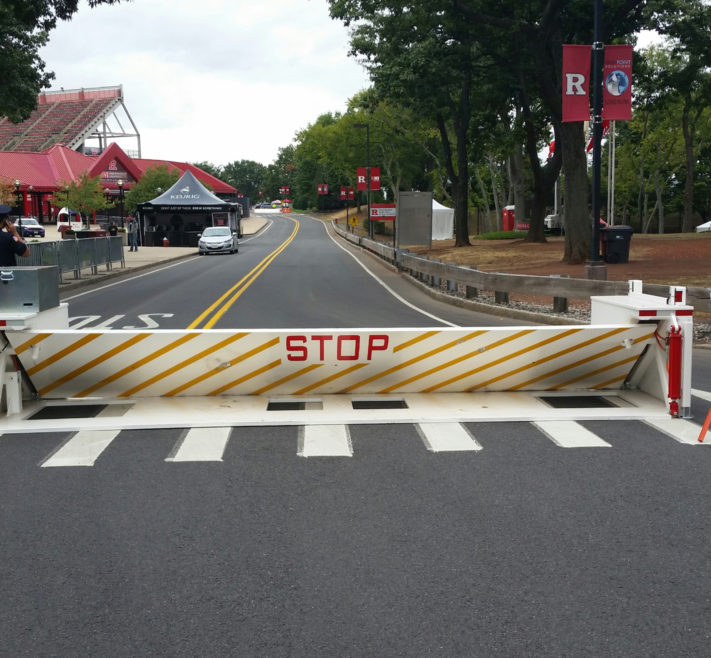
(74, 132)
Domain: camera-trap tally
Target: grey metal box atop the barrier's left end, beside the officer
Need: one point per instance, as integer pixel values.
(28, 289)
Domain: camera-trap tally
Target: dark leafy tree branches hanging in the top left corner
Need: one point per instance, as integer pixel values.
(24, 28)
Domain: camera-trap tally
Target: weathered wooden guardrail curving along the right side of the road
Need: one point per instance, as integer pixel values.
(559, 287)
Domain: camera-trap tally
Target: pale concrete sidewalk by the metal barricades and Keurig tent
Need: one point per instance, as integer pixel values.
(144, 258)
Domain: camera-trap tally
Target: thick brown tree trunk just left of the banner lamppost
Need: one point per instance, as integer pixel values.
(577, 194)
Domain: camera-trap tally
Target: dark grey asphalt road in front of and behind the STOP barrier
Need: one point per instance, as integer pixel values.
(521, 548)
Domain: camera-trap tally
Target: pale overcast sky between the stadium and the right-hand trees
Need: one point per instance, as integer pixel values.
(214, 80)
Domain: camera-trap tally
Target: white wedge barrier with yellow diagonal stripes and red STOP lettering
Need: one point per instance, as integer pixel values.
(627, 345)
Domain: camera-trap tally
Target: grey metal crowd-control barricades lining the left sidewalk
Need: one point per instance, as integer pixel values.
(77, 255)
